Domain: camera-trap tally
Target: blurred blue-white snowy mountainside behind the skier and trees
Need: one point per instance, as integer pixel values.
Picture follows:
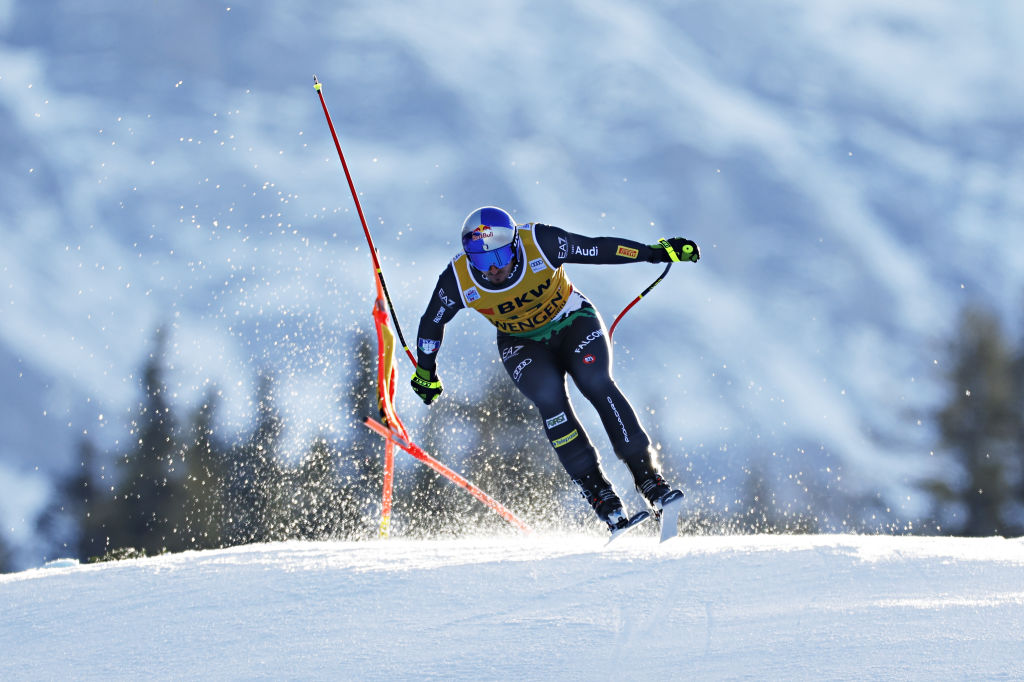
(851, 170)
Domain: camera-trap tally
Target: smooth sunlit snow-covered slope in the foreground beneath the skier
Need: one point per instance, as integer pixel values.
(535, 609)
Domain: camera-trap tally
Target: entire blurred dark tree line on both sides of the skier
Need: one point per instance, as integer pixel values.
(180, 487)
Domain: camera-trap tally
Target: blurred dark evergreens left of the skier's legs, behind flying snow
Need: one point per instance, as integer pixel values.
(179, 487)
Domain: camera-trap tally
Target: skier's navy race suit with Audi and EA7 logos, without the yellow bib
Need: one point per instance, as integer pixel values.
(573, 345)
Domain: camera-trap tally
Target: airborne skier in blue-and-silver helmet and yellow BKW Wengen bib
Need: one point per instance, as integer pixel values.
(514, 276)
